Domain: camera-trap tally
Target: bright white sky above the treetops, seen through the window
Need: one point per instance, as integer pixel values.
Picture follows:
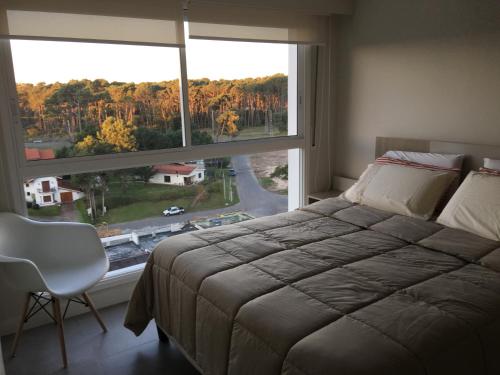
(48, 61)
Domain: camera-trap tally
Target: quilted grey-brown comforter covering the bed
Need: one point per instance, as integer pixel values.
(332, 288)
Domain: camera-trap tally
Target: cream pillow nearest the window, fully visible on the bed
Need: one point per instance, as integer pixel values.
(401, 187)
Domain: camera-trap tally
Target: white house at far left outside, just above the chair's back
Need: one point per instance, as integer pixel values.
(47, 191)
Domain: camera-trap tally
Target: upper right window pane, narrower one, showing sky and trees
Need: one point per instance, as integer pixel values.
(240, 90)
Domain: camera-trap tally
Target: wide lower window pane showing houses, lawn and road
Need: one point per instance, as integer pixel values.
(176, 198)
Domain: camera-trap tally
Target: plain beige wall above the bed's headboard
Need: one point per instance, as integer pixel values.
(426, 69)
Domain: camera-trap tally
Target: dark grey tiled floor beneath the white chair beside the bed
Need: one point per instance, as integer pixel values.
(92, 352)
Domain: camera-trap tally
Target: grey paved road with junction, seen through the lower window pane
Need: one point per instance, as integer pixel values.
(254, 200)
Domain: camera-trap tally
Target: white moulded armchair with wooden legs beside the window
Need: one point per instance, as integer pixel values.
(50, 262)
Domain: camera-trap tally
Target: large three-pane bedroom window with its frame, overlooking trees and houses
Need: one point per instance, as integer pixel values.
(146, 133)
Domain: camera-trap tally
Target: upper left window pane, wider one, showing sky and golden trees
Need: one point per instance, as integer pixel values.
(79, 99)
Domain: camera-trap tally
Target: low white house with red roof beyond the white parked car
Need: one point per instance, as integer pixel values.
(179, 174)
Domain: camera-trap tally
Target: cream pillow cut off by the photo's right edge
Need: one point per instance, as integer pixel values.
(475, 207)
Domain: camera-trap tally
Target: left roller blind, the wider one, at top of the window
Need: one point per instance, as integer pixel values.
(150, 22)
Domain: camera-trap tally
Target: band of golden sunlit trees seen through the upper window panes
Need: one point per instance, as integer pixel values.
(85, 117)
